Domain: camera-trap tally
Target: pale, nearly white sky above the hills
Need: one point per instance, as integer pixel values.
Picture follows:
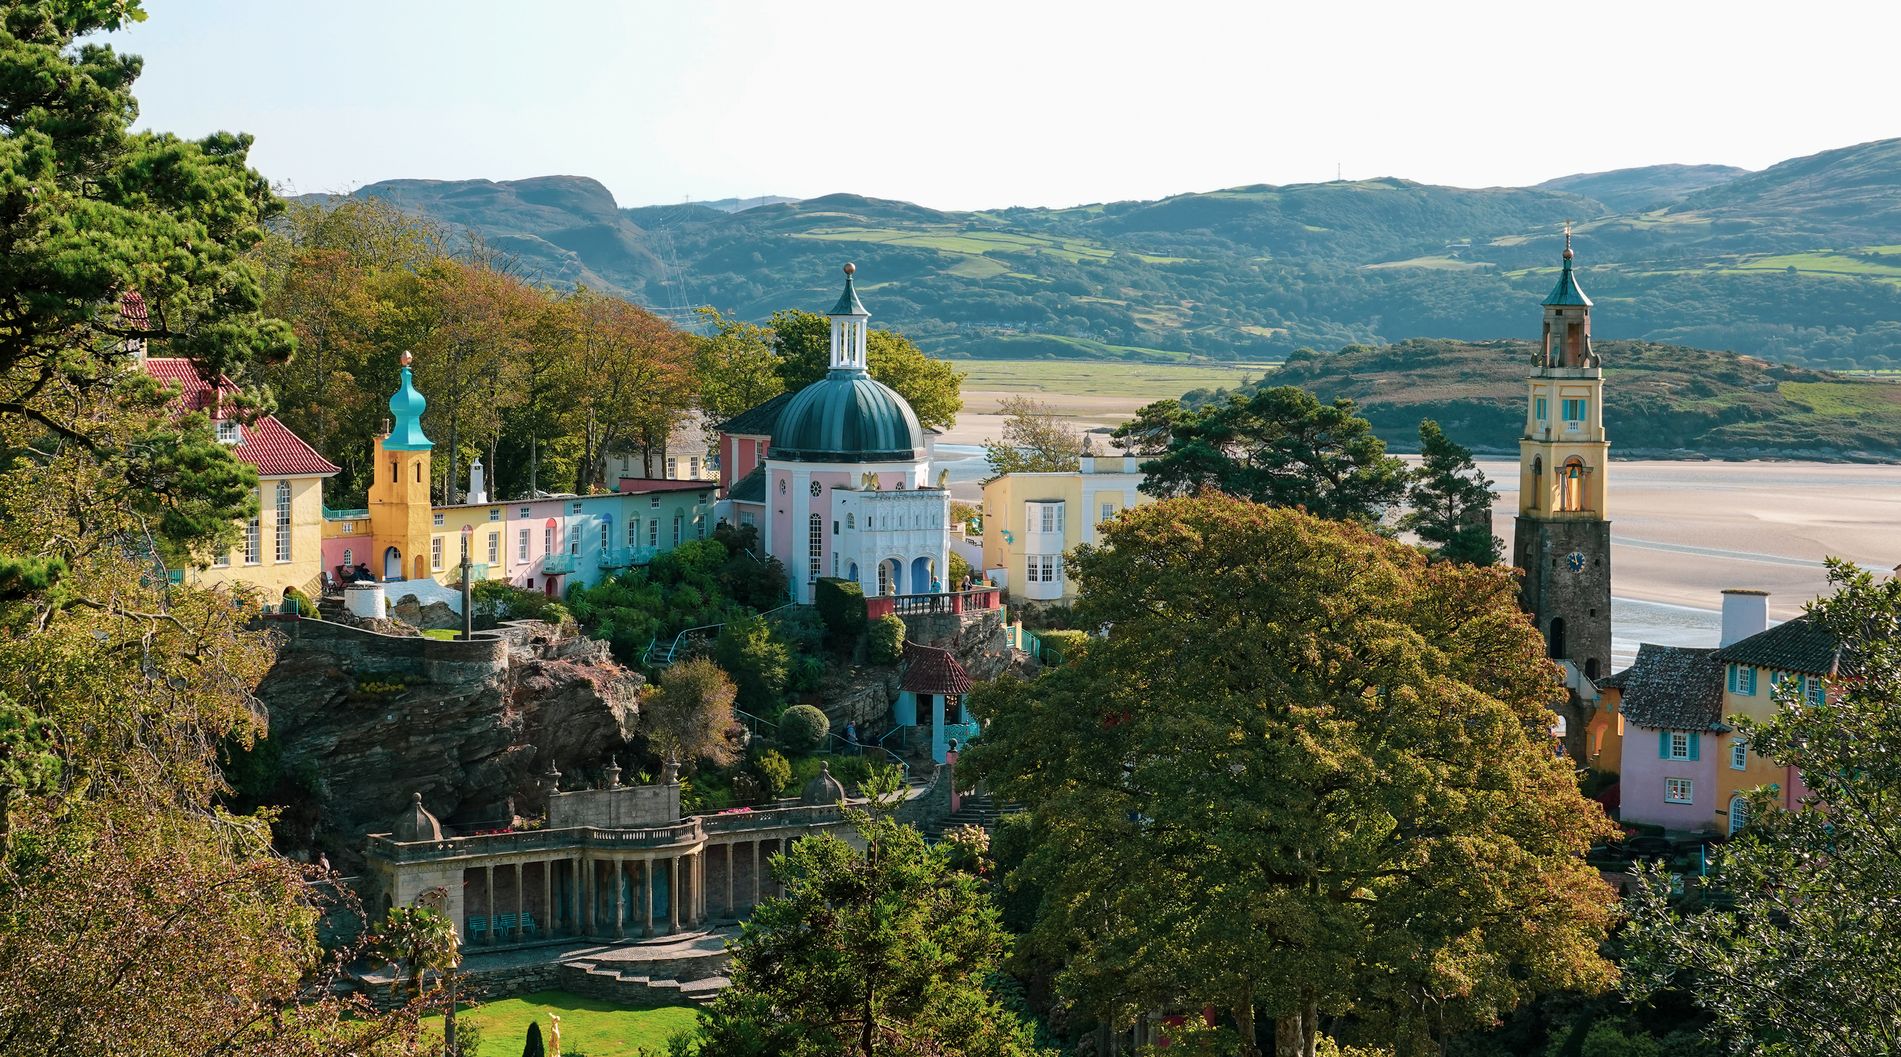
(976, 104)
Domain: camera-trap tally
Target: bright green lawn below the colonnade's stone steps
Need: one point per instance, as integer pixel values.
(590, 1028)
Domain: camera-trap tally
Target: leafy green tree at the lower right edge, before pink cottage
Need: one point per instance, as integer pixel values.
(1803, 961)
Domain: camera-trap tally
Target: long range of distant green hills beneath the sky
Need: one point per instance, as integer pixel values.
(1795, 263)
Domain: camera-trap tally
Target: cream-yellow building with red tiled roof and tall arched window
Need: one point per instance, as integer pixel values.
(282, 547)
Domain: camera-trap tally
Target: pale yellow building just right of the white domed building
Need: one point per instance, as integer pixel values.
(1033, 520)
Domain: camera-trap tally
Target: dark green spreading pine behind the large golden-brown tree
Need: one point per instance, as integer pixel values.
(1282, 448)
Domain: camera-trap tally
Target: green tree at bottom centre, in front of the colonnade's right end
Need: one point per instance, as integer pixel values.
(868, 953)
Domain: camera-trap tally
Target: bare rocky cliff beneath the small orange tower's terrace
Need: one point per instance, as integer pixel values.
(469, 725)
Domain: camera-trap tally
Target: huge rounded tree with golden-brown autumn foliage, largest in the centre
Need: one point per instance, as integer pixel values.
(1315, 784)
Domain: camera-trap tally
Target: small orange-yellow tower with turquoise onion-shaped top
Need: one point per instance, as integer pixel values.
(400, 514)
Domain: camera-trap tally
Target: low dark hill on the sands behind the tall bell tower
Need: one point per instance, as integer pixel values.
(1670, 400)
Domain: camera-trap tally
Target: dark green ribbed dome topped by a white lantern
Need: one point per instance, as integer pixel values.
(847, 417)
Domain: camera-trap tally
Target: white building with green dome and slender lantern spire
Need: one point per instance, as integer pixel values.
(837, 476)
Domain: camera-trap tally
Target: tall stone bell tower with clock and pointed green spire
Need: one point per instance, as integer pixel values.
(1564, 531)
